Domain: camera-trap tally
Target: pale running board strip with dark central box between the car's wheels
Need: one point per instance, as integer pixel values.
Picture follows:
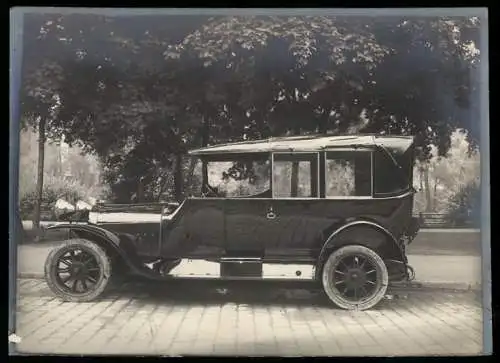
(244, 268)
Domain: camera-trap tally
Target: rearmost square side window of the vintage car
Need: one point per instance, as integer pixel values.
(348, 174)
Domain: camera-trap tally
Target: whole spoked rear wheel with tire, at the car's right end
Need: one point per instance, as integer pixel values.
(355, 278)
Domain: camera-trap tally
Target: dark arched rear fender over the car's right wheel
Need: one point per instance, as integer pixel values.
(365, 233)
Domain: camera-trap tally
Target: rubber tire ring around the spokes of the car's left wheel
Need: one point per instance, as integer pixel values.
(103, 261)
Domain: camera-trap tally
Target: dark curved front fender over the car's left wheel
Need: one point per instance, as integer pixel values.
(106, 239)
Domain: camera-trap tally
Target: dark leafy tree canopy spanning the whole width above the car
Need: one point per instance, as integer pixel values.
(140, 91)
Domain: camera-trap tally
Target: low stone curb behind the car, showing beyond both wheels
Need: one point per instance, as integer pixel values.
(413, 286)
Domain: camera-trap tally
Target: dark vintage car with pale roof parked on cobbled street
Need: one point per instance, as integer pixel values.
(335, 211)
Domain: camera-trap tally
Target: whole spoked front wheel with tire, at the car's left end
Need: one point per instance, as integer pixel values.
(78, 271)
